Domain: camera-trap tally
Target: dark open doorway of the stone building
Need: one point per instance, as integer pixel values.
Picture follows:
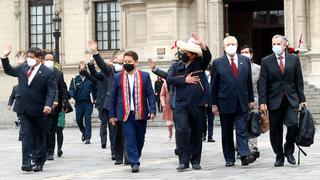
(254, 22)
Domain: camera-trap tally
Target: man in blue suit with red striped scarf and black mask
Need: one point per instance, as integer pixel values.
(133, 102)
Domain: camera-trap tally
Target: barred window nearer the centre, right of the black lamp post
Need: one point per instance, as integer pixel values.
(107, 25)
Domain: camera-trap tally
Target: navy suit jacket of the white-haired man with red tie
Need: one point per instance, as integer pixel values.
(228, 90)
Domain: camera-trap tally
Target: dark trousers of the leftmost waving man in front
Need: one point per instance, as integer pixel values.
(34, 129)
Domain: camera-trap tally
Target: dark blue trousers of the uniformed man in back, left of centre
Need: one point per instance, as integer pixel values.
(84, 110)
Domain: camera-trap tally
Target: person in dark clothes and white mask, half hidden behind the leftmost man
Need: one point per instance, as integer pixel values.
(52, 118)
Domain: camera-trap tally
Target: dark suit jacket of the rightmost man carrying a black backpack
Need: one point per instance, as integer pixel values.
(273, 85)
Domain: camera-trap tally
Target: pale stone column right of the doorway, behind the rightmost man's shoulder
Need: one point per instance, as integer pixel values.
(300, 25)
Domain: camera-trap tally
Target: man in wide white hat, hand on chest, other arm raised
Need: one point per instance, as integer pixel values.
(189, 79)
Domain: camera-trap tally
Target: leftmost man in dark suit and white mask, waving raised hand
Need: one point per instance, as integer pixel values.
(37, 88)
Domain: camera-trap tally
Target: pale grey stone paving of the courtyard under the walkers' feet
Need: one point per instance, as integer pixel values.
(158, 161)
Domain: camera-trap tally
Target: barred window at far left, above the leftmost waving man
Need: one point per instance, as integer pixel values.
(40, 24)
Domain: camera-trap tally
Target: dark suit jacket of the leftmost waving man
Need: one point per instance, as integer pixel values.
(41, 91)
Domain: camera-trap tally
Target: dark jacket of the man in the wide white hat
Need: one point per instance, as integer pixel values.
(190, 95)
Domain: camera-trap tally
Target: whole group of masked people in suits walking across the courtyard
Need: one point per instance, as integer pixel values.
(125, 100)
